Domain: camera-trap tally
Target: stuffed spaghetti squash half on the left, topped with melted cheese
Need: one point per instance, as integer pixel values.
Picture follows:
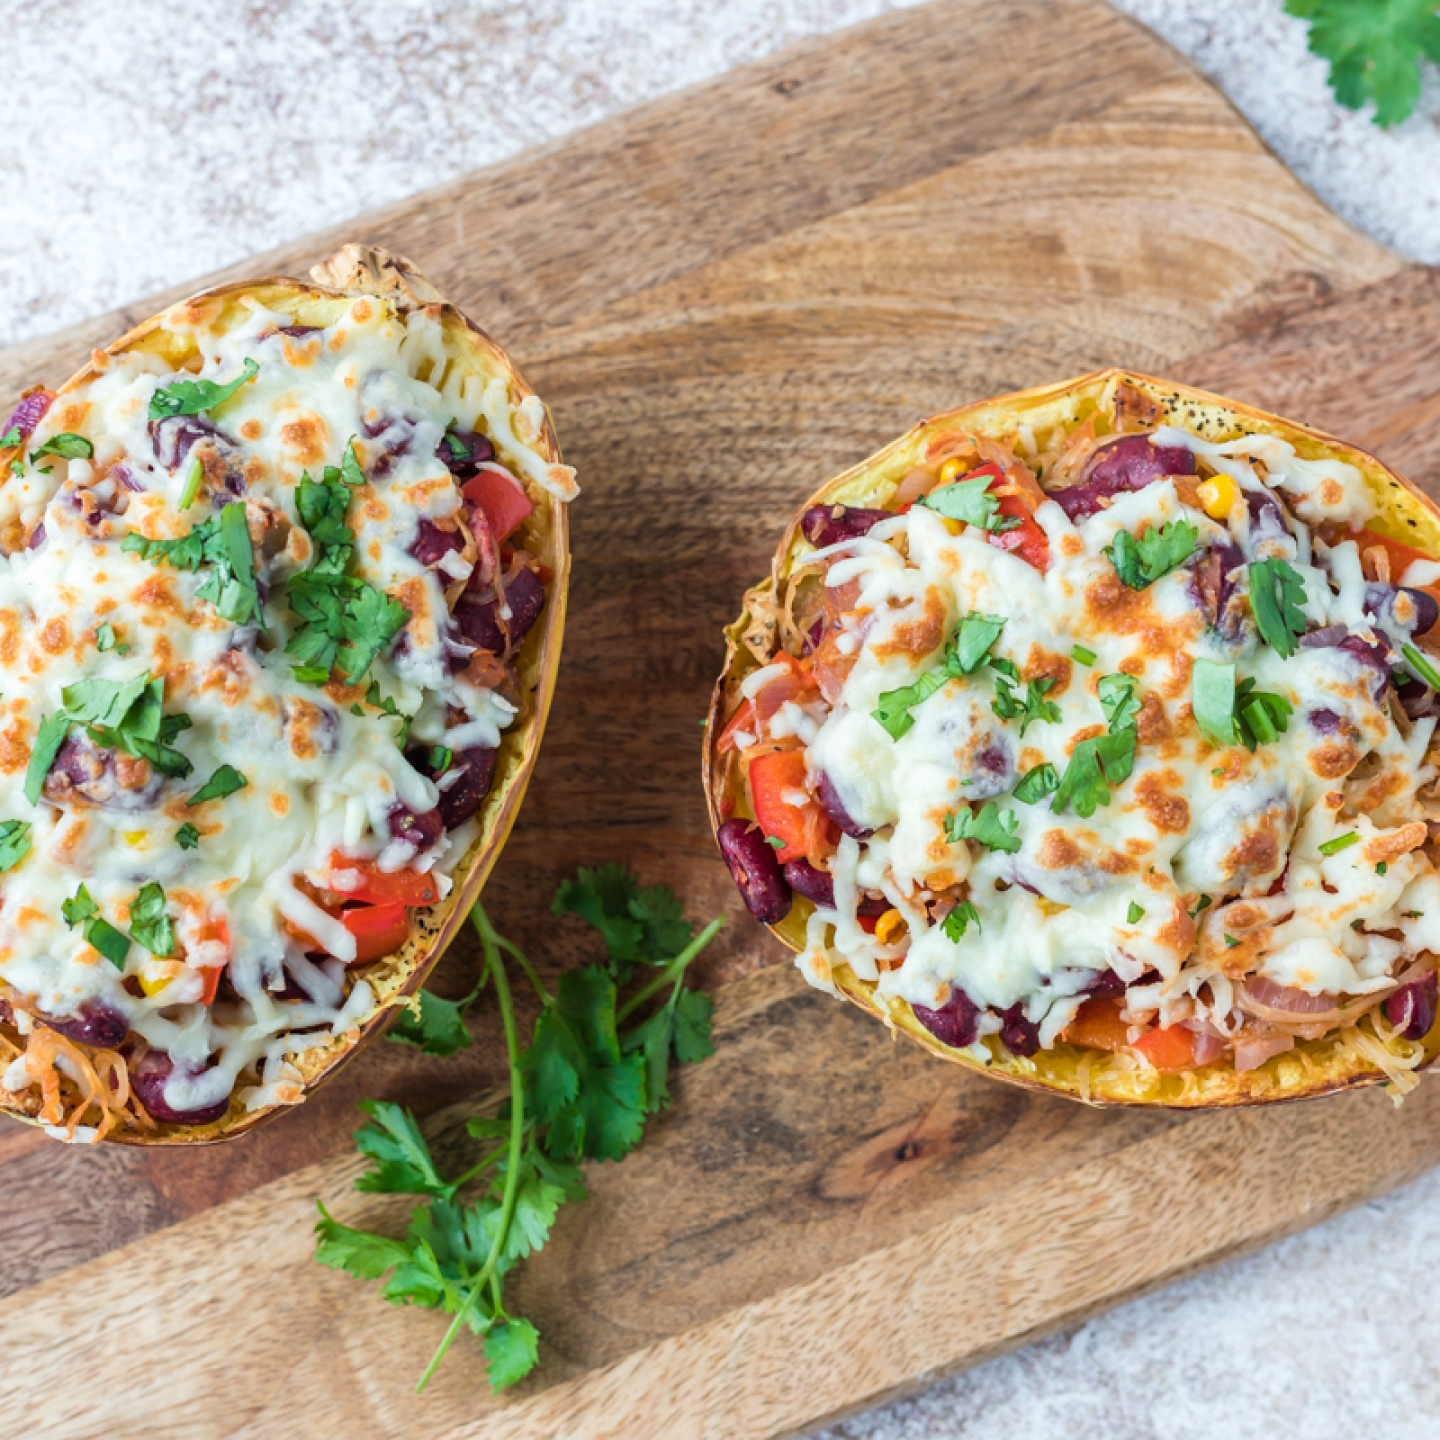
(282, 606)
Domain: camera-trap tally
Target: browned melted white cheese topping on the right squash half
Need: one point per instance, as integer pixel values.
(1169, 883)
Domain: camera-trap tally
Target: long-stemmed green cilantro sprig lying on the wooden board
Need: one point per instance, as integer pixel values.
(581, 1091)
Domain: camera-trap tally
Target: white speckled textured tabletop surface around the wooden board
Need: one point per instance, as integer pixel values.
(172, 139)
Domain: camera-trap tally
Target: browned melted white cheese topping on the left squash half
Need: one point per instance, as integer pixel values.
(325, 771)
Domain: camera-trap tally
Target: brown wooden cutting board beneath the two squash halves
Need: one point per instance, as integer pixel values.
(726, 297)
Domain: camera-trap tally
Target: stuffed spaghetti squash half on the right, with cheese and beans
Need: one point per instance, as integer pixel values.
(1088, 737)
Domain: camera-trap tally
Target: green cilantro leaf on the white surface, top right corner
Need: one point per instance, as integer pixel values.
(1376, 50)
